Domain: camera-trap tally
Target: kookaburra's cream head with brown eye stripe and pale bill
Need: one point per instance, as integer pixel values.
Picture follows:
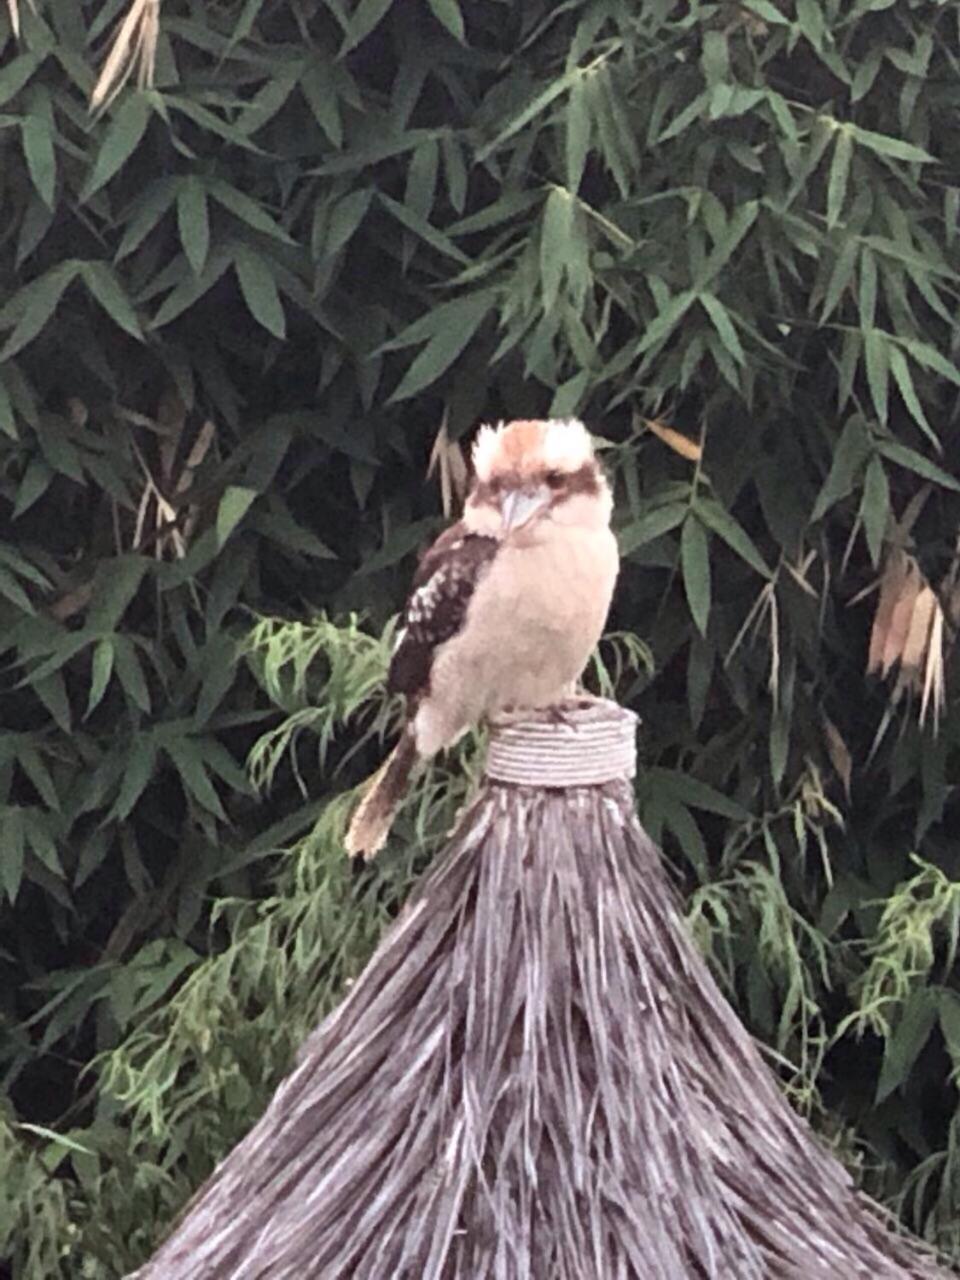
(532, 470)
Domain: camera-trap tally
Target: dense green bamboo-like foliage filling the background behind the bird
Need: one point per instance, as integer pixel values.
(239, 303)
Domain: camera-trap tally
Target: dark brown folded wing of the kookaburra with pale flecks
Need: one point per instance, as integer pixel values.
(444, 586)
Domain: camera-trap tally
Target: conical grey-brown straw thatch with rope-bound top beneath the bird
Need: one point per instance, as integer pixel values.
(536, 1077)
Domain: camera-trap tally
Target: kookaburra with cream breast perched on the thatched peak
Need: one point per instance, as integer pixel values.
(506, 606)
